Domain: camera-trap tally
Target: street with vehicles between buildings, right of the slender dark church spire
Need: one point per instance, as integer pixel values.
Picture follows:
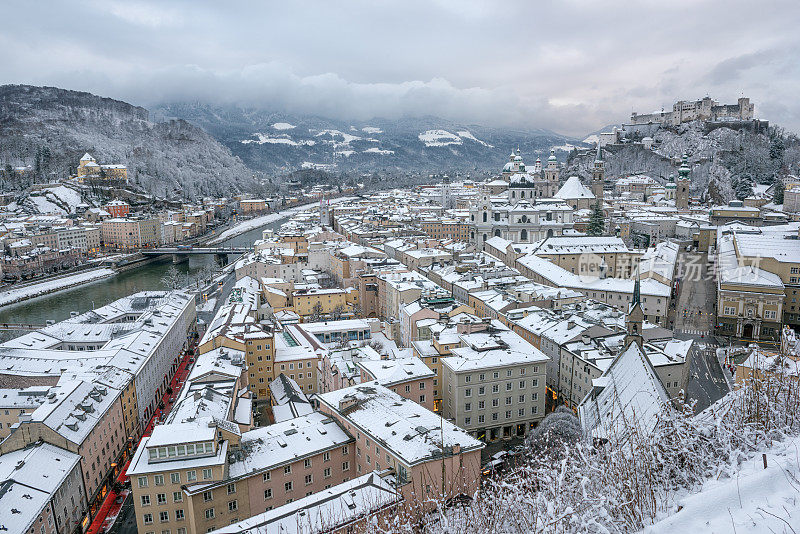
(694, 319)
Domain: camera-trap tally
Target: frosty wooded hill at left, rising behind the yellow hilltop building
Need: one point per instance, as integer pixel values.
(161, 157)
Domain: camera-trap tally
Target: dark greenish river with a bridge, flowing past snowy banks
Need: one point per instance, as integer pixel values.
(57, 306)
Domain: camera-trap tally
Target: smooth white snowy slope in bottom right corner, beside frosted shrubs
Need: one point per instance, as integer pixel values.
(757, 501)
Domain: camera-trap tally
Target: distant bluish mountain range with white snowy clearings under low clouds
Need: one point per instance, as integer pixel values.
(278, 142)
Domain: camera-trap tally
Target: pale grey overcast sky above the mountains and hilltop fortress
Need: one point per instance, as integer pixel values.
(572, 66)
